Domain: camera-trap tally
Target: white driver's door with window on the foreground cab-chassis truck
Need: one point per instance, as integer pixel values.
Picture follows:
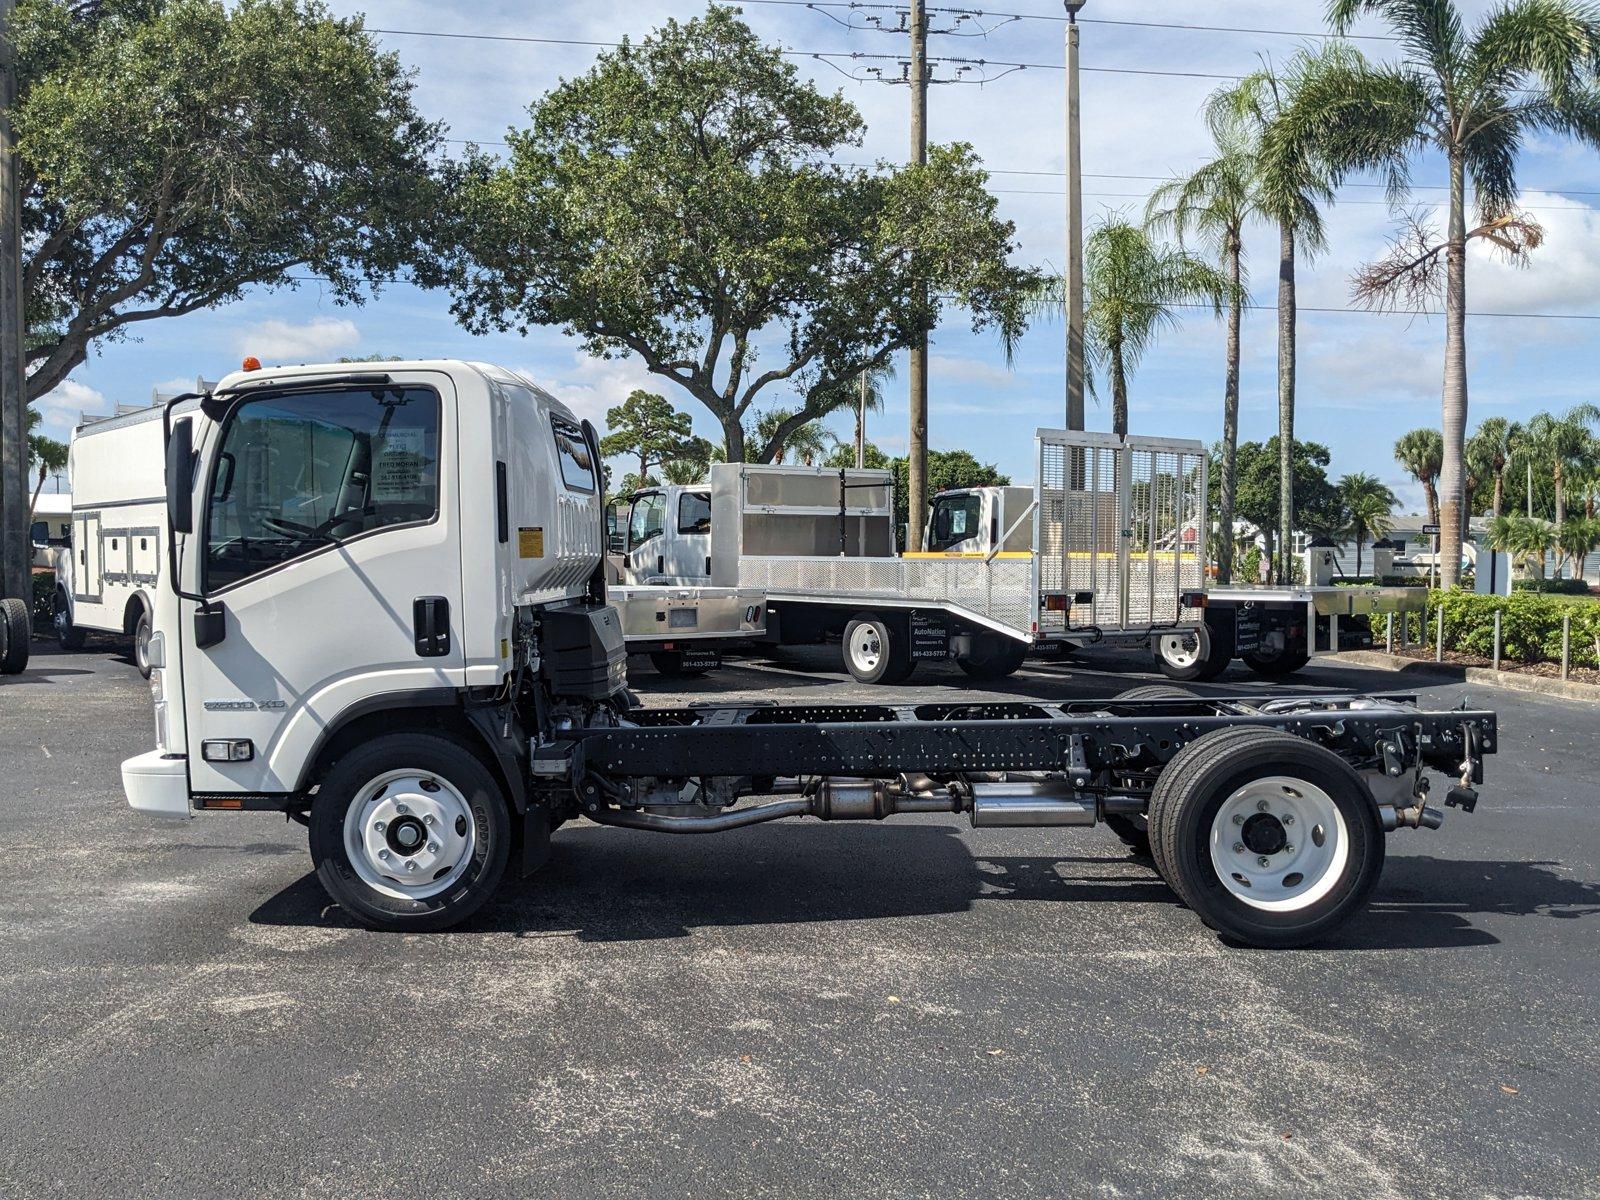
(326, 530)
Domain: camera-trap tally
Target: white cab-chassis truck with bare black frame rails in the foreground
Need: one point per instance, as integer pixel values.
(386, 618)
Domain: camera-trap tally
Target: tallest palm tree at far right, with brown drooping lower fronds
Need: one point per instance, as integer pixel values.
(1473, 98)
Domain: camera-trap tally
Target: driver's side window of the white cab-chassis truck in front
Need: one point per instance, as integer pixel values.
(300, 473)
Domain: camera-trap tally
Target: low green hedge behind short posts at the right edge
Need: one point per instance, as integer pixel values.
(1530, 626)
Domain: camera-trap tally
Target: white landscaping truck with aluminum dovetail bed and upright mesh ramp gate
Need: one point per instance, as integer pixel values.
(1095, 551)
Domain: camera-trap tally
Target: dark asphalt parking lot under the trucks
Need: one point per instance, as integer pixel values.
(911, 1009)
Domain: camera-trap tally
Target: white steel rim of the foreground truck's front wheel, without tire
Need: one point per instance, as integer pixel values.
(410, 834)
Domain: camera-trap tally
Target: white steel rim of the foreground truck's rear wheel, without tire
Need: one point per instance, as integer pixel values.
(1279, 844)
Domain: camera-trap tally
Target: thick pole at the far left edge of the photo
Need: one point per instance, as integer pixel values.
(15, 561)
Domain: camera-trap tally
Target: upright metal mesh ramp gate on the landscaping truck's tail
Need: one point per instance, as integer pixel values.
(1121, 530)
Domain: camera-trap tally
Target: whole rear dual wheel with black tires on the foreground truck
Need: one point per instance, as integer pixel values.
(1273, 841)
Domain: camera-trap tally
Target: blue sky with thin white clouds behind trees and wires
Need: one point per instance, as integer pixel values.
(1364, 378)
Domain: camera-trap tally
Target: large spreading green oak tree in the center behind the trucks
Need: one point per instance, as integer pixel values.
(682, 202)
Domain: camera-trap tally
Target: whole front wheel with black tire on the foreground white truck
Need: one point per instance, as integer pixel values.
(410, 833)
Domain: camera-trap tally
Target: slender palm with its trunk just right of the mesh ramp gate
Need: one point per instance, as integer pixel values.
(1214, 206)
